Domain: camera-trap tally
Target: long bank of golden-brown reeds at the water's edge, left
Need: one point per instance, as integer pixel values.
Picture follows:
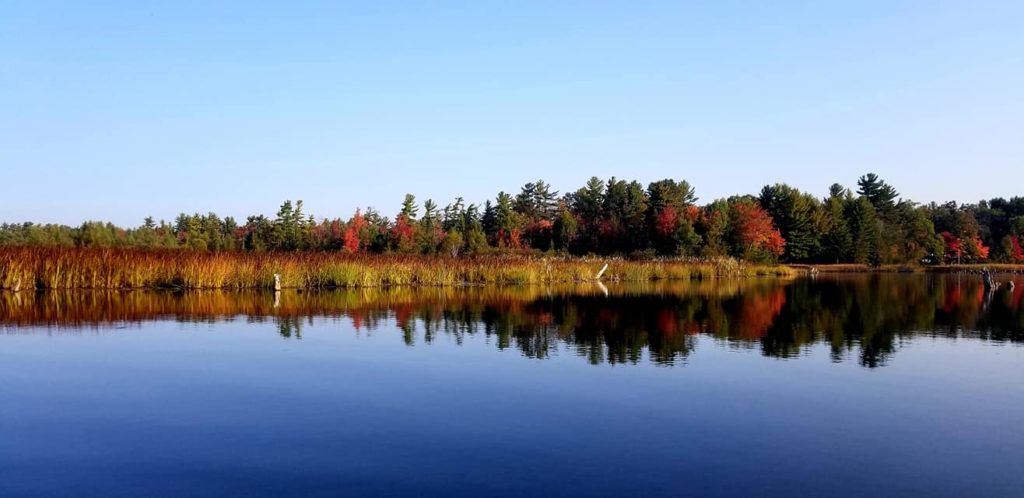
(129, 269)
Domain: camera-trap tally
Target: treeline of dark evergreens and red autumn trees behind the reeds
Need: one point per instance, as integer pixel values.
(870, 225)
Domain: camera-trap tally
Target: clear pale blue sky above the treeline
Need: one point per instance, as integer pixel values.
(116, 111)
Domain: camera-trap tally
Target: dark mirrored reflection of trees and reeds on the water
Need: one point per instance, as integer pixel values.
(861, 317)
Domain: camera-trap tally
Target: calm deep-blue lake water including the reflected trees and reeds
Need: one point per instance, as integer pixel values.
(894, 386)
